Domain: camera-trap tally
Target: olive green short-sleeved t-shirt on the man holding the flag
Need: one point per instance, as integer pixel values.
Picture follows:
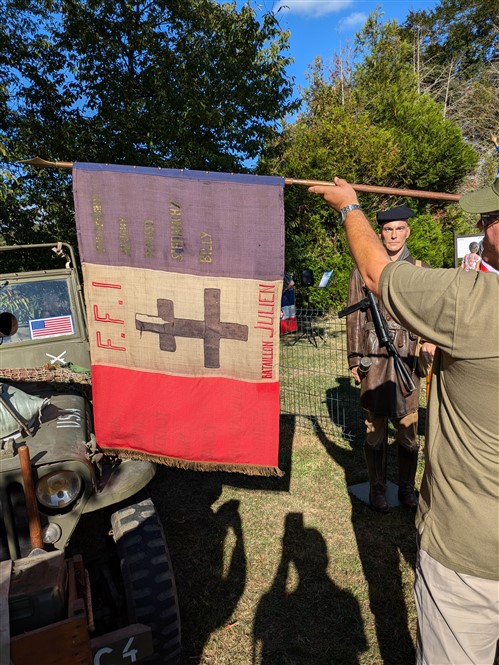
(458, 512)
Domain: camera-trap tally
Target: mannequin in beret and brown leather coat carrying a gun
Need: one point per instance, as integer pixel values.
(382, 392)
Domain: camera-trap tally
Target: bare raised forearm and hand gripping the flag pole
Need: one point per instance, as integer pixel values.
(365, 247)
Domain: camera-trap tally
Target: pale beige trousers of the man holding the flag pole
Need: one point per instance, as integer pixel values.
(458, 615)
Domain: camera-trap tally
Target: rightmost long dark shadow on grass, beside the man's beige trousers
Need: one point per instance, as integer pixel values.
(381, 540)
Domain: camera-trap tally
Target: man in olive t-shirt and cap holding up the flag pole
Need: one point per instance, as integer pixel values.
(456, 586)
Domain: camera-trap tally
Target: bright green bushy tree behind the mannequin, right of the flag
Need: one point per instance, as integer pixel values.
(370, 126)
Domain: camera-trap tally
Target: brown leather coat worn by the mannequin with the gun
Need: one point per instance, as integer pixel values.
(382, 391)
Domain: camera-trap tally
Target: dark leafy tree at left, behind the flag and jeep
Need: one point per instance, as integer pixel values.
(185, 84)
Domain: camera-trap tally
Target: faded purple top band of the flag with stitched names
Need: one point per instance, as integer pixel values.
(184, 222)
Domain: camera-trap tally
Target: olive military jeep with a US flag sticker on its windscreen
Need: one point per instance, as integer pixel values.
(85, 574)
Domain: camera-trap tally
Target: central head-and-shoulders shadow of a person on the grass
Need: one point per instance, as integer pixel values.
(305, 618)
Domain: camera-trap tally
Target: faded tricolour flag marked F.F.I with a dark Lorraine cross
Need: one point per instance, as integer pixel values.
(183, 280)
